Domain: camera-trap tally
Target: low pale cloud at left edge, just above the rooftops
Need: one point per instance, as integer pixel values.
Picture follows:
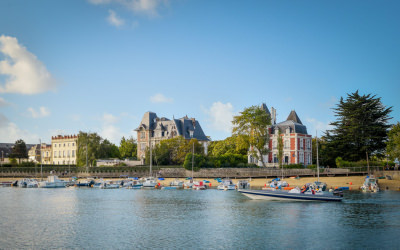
(9, 132)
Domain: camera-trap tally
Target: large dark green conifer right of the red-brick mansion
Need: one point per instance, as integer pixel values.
(360, 128)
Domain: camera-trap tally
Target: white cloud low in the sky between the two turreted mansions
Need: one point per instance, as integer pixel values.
(220, 116)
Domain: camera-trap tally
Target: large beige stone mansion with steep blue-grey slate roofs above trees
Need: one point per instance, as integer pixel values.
(155, 129)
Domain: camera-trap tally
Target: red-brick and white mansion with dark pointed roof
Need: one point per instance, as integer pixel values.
(297, 143)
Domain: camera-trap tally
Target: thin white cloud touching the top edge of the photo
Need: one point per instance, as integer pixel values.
(143, 7)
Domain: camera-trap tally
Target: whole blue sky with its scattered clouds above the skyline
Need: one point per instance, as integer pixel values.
(98, 65)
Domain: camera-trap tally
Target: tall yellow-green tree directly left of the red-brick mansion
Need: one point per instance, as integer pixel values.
(253, 126)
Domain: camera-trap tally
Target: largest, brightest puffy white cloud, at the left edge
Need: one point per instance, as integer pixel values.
(25, 73)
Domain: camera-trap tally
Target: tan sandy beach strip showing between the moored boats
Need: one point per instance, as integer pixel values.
(353, 182)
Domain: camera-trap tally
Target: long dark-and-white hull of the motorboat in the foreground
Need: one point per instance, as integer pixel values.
(286, 196)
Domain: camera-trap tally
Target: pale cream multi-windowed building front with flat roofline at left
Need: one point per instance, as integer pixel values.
(64, 149)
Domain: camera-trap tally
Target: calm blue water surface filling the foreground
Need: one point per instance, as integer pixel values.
(83, 218)
